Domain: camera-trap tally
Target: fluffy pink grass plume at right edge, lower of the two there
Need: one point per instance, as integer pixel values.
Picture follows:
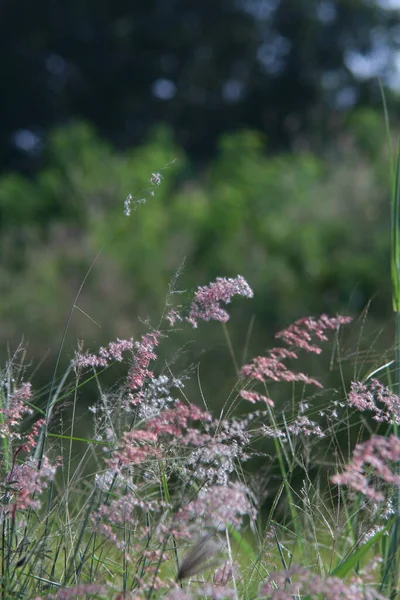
(372, 458)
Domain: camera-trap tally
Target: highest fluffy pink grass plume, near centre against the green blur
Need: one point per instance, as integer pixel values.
(206, 303)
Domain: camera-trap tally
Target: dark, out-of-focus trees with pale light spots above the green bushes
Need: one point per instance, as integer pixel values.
(203, 68)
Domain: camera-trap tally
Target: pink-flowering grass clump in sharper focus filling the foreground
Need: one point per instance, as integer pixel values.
(169, 500)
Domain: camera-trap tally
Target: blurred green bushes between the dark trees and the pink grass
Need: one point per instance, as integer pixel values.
(309, 233)
